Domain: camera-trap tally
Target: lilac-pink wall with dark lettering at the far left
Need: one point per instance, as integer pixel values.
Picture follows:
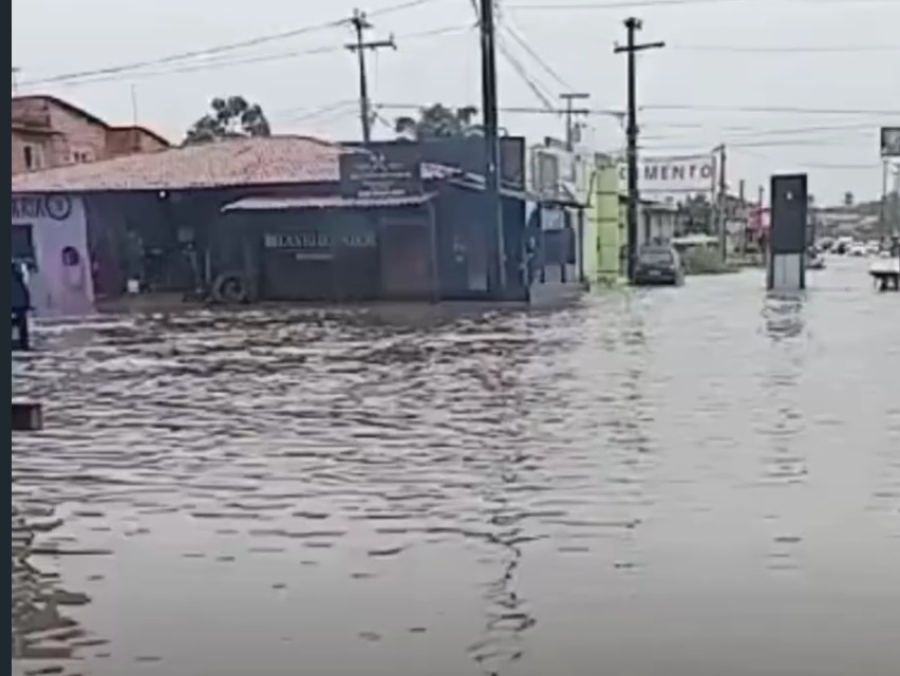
(61, 286)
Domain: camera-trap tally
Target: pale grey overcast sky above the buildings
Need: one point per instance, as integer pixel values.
(831, 58)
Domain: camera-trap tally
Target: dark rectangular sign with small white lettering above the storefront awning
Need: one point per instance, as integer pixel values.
(375, 174)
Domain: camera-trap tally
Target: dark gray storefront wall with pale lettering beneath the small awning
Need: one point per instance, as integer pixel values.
(328, 249)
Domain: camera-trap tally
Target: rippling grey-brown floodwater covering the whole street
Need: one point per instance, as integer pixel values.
(671, 482)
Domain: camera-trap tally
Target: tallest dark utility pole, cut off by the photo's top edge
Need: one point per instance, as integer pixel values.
(492, 175)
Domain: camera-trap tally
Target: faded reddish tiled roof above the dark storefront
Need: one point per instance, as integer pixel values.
(256, 161)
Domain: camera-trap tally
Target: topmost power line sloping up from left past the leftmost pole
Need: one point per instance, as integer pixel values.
(219, 49)
